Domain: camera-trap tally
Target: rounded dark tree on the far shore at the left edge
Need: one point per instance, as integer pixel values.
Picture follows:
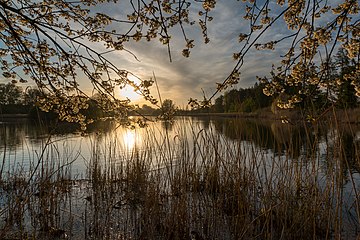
(10, 94)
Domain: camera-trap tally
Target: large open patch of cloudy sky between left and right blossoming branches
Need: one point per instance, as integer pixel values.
(188, 77)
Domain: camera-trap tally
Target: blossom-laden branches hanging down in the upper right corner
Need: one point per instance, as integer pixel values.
(306, 67)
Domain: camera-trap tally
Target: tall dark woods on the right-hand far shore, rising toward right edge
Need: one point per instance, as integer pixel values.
(342, 95)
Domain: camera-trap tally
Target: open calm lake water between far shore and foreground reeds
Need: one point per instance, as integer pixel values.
(22, 142)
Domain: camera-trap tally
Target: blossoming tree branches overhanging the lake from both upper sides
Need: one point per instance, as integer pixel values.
(48, 42)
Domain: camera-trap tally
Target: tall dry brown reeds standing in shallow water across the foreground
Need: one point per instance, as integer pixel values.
(192, 183)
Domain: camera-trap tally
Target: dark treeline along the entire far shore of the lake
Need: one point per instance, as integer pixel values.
(13, 99)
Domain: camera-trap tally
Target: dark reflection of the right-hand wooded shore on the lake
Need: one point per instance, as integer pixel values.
(304, 141)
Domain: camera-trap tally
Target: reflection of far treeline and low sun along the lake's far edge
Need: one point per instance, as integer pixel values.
(295, 141)
